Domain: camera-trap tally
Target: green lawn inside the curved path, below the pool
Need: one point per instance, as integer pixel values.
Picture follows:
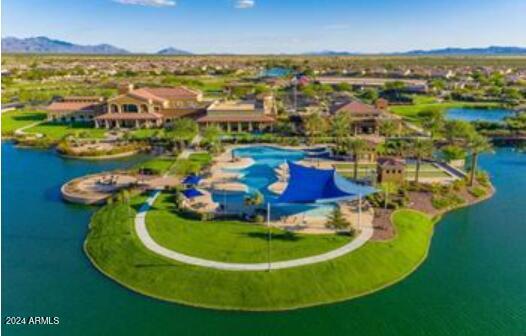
(231, 241)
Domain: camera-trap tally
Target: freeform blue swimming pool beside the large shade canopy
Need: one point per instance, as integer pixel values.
(260, 175)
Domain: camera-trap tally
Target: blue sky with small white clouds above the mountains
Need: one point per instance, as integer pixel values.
(271, 26)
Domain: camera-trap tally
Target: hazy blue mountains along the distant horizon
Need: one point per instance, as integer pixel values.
(45, 45)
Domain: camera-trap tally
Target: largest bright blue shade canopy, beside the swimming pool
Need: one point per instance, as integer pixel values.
(311, 185)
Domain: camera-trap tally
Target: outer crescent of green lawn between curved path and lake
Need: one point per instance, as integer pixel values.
(114, 248)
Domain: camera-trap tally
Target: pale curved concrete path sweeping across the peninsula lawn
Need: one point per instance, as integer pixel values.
(142, 232)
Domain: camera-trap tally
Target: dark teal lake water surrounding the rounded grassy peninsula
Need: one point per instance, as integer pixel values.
(473, 283)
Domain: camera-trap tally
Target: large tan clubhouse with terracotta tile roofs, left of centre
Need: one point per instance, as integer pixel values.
(156, 107)
